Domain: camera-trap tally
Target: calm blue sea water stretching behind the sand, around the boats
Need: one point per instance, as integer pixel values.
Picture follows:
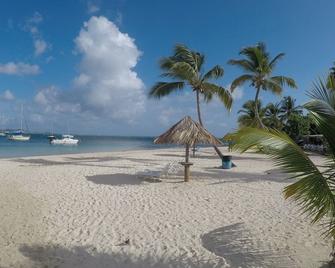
(39, 145)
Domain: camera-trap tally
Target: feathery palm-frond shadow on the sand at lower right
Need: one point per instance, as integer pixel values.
(233, 243)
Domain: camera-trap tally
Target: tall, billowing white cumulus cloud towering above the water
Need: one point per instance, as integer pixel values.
(107, 85)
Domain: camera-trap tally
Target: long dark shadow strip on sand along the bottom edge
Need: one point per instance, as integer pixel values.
(88, 257)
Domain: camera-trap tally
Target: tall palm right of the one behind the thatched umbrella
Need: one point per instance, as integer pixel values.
(258, 68)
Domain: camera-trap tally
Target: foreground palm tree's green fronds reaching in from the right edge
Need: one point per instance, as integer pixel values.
(313, 188)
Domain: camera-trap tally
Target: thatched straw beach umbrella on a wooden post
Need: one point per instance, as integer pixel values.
(187, 132)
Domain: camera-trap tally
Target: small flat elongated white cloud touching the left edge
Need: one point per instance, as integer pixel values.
(19, 68)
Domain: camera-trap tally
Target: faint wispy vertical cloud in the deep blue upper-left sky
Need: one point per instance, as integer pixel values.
(31, 25)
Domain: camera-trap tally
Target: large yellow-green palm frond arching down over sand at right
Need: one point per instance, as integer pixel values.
(312, 190)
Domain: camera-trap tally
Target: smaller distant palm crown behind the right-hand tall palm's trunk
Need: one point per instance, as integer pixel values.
(248, 114)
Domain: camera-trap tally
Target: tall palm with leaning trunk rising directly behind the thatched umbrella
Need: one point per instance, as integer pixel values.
(185, 68)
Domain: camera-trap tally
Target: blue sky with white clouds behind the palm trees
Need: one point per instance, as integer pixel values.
(86, 66)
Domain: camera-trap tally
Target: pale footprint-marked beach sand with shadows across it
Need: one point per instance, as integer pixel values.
(108, 210)
